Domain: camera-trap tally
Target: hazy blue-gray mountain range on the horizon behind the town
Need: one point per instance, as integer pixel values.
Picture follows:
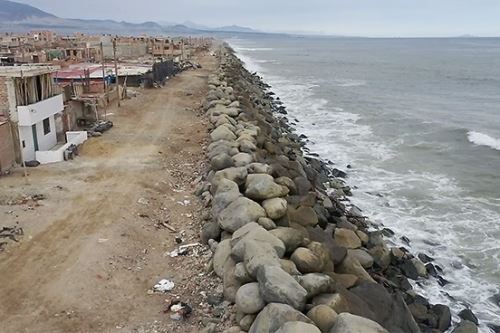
(19, 17)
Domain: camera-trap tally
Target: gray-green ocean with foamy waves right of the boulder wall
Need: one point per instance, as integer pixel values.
(418, 122)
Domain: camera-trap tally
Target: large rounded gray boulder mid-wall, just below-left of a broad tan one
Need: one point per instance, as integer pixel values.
(240, 212)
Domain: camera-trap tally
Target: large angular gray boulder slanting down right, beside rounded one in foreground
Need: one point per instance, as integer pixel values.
(277, 286)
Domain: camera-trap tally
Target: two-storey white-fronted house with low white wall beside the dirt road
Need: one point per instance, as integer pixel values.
(33, 105)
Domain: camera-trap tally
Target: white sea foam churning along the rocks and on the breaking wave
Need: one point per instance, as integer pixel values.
(428, 208)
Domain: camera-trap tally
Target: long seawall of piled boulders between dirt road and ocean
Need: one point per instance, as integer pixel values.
(293, 254)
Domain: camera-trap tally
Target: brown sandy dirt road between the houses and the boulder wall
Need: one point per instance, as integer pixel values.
(93, 248)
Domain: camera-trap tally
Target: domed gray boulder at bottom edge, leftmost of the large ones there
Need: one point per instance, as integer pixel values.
(273, 316)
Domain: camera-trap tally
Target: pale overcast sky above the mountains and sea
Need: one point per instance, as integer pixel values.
(342, 17)
